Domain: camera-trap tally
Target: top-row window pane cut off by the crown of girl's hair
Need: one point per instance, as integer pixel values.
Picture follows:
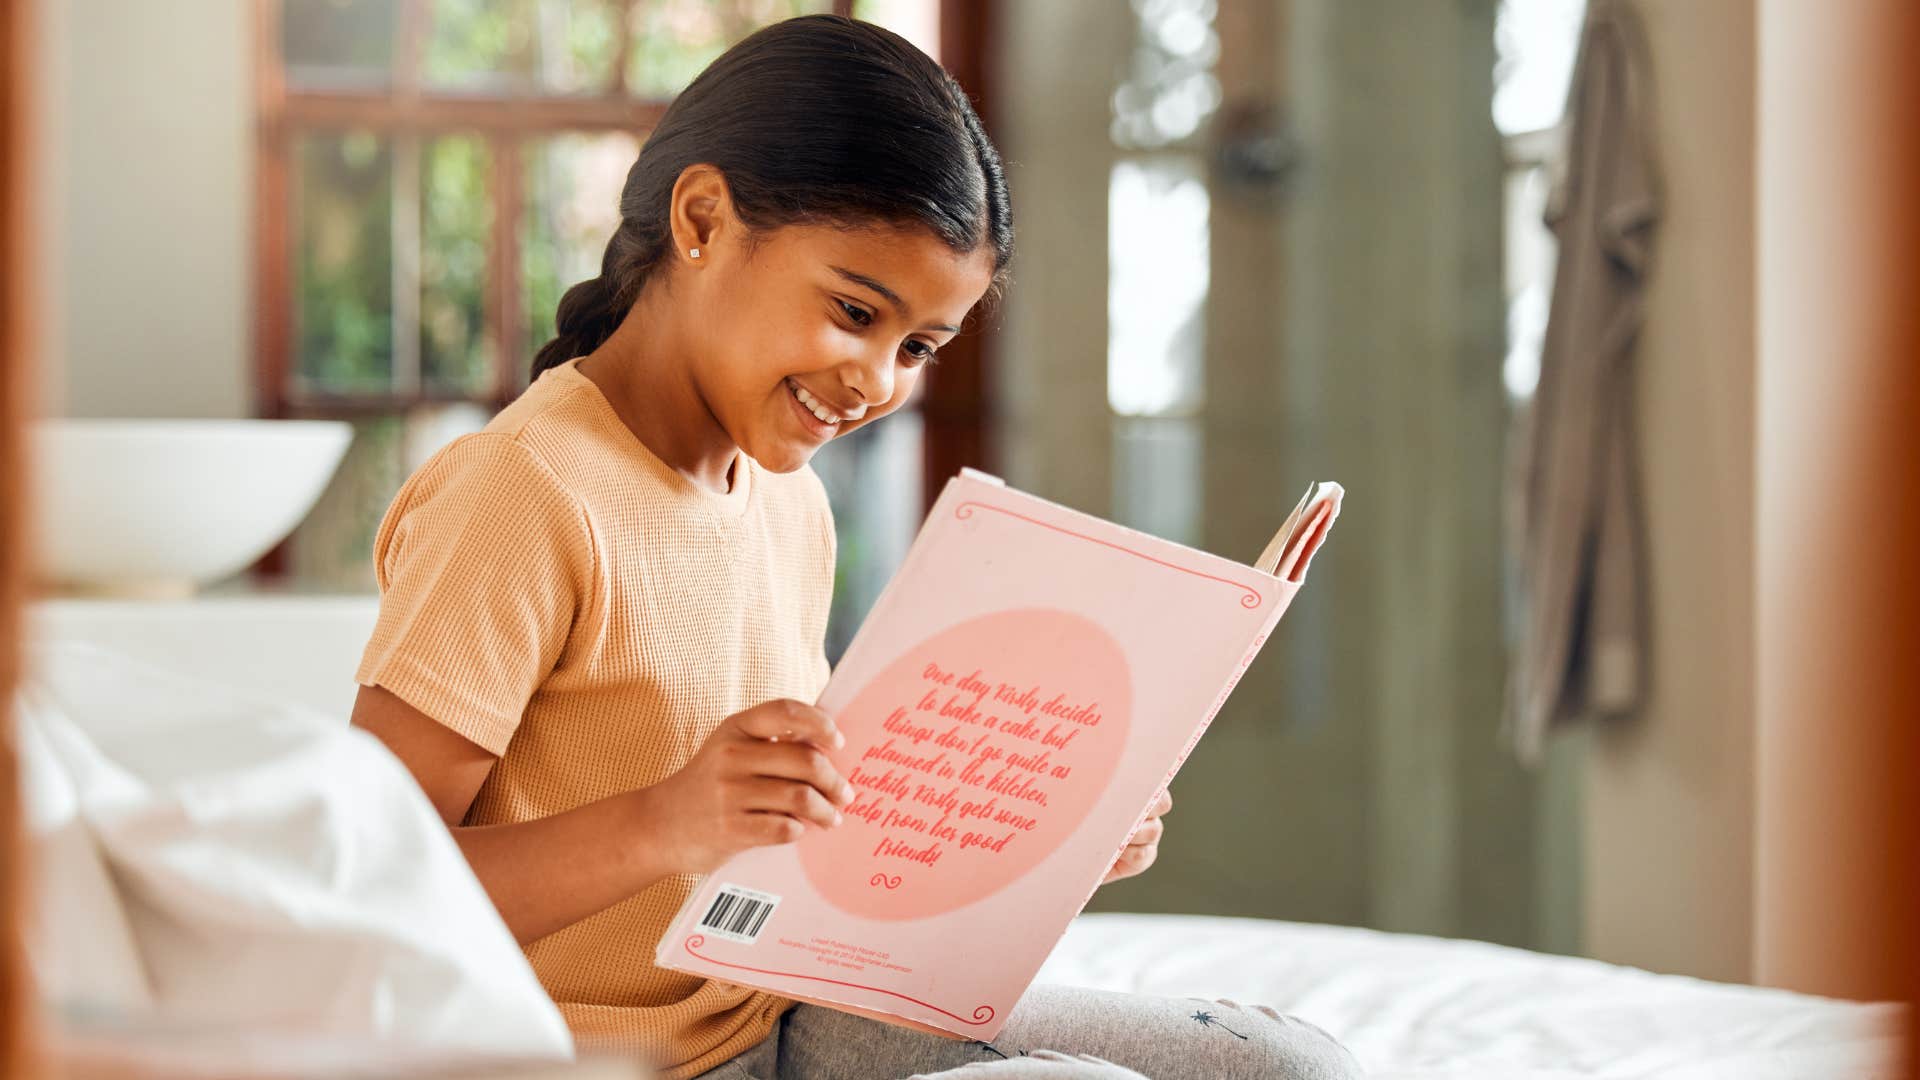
(677, 39)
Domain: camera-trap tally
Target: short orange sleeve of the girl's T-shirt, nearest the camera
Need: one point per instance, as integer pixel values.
(485, 564)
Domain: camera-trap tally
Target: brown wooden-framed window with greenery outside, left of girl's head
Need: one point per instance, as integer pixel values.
(439, 172)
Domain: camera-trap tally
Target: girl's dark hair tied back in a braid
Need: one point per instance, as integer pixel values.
(817, 120)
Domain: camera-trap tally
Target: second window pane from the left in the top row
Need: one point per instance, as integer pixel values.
(523, 45)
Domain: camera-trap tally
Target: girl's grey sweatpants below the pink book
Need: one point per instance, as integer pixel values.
(1055, 1033)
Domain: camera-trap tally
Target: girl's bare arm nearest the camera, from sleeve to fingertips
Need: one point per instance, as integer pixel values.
(756, 781)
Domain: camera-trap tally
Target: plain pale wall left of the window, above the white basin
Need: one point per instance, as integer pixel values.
(147, 118)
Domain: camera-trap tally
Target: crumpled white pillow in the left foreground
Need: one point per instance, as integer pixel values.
(276, 870)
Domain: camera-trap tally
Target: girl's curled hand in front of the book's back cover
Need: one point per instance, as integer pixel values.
(761, 777)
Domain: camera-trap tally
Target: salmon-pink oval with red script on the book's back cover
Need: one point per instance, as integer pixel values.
(1045, 649)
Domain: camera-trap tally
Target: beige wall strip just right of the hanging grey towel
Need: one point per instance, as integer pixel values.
(1669, 798)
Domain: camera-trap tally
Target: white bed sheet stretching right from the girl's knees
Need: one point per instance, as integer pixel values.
(1429, 1008)
